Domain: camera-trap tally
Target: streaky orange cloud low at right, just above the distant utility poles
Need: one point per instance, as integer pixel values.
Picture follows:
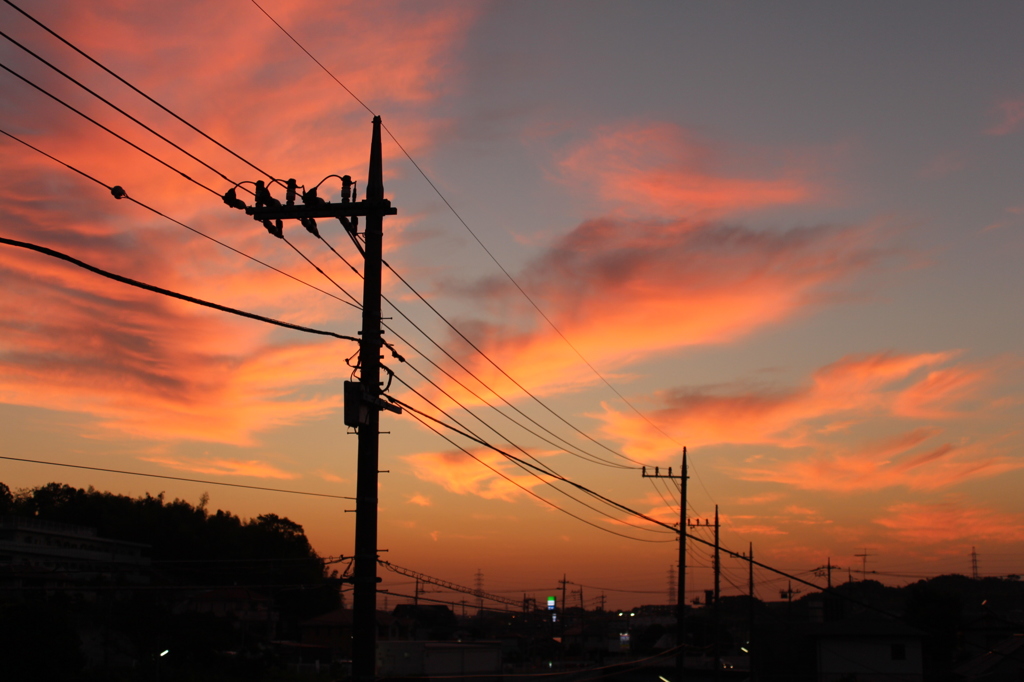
(876, 392)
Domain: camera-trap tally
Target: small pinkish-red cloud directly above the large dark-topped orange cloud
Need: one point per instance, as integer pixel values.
(659, 169)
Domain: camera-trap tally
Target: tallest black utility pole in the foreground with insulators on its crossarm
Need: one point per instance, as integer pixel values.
(363, 399)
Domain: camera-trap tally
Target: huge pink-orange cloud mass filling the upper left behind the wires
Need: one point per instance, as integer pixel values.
(137, 363)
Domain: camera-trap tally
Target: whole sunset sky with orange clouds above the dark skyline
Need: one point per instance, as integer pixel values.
(788, 237)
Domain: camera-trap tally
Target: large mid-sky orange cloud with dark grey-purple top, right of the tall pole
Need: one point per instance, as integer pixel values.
(658, 287)
